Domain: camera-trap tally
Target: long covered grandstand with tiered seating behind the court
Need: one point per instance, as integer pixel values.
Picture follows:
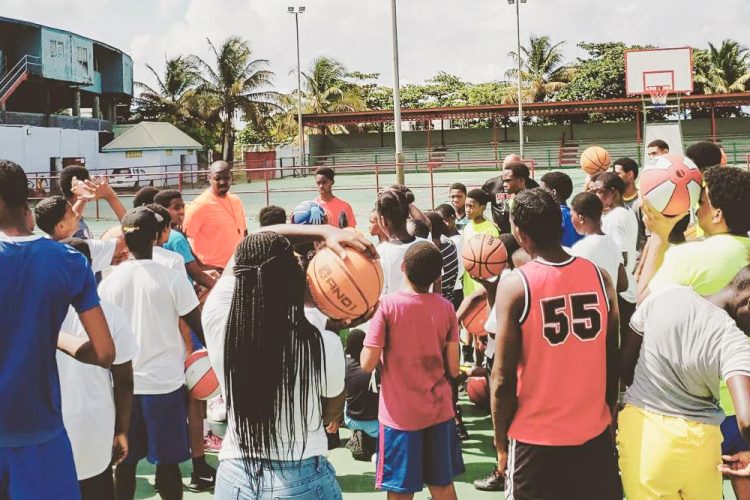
(549, 146)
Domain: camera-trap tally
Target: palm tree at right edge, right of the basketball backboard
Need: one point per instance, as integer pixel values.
(723, 70)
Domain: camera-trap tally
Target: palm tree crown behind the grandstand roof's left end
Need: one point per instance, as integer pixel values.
(327, 91)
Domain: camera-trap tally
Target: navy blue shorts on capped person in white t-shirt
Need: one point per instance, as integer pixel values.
(158, 428)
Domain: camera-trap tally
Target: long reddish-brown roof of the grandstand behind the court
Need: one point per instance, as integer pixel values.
(621, 105)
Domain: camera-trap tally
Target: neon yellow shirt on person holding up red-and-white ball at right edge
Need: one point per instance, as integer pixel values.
(707, 266)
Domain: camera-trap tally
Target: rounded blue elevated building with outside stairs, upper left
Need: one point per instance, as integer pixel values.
(44, 70)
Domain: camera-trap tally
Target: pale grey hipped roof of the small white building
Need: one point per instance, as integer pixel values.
(151, 136)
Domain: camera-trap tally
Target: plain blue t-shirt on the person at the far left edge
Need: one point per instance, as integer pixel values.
(40, 279)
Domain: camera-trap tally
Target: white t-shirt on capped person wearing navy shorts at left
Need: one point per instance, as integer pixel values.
(153, 298)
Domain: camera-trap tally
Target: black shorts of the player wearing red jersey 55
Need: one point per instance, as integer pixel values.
(584, 472)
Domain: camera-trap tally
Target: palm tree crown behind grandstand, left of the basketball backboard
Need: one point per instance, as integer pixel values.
(541, 68)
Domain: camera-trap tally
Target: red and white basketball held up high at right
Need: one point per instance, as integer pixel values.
(671, 183)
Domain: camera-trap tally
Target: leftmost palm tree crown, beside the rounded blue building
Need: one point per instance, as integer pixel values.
(173, 95)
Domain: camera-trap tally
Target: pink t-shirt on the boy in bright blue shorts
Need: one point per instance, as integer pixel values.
(413, 330)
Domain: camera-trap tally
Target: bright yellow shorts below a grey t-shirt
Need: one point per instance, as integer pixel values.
(668, 457)
